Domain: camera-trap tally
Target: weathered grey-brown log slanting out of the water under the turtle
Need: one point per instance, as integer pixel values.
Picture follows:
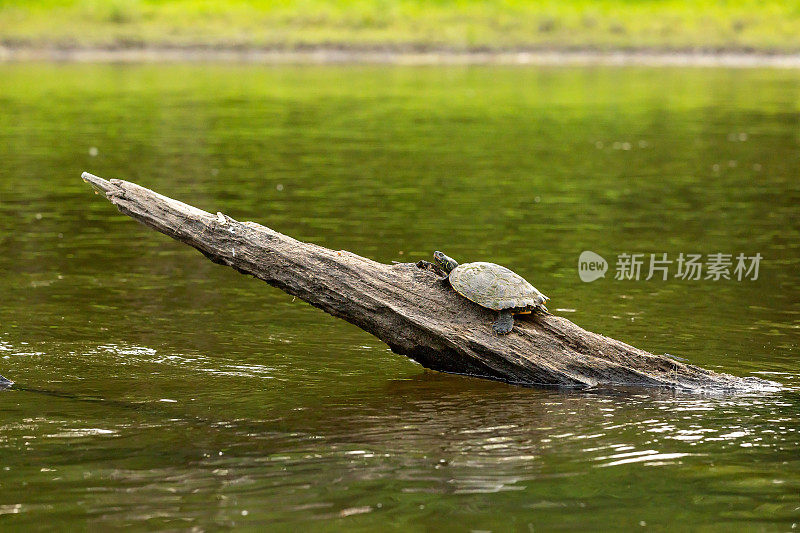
(408, 308)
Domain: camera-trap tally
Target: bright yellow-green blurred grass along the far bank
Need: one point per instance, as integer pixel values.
(767, 25)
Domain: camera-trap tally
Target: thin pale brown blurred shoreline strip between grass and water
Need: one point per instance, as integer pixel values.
(400, 56)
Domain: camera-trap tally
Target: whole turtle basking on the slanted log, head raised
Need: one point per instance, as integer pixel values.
(492, 286)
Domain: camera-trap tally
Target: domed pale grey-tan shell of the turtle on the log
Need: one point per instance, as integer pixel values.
(495, 286)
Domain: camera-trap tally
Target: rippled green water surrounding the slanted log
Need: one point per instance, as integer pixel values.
(156, 389)
